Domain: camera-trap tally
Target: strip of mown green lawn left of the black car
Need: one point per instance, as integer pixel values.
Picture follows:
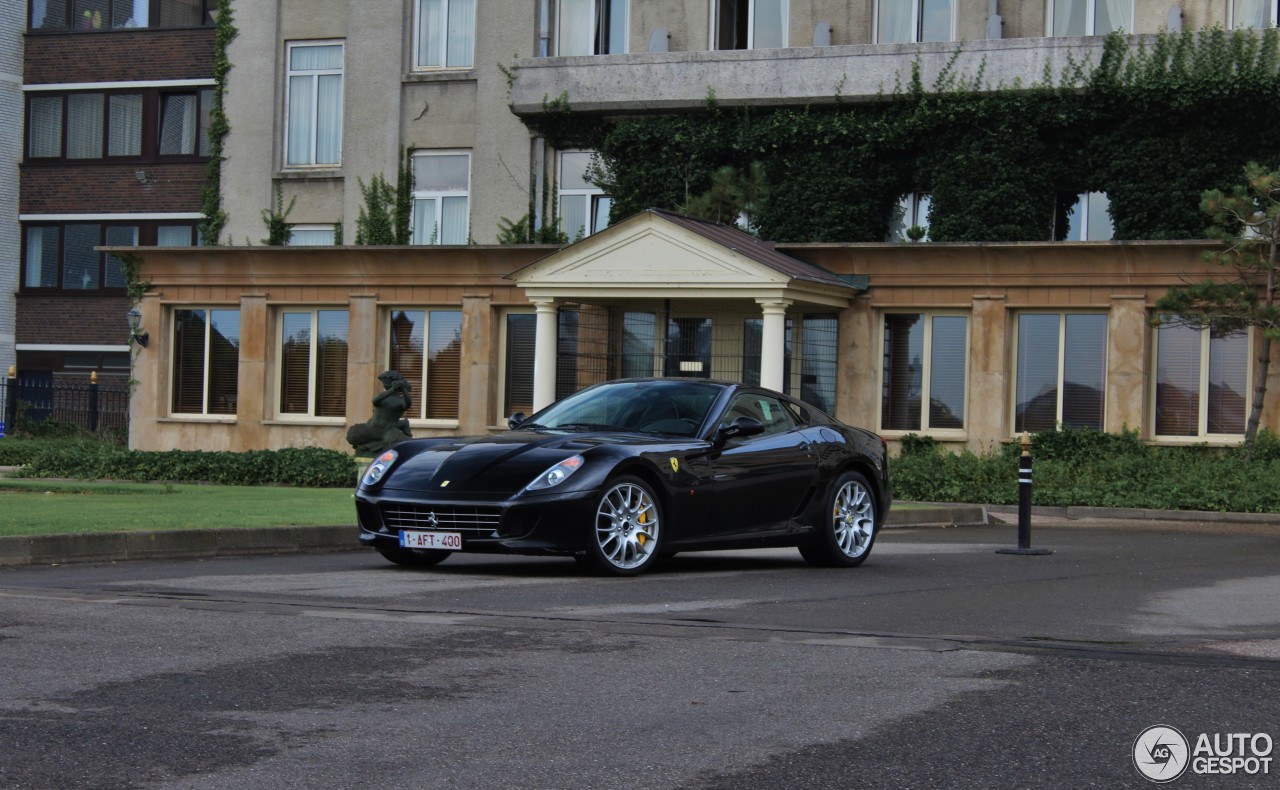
(45, 508)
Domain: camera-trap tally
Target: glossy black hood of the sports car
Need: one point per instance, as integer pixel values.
(504, 464)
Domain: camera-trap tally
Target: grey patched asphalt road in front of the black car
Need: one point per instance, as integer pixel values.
(939, 664)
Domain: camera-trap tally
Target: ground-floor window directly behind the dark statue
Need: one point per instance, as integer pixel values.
(426, 348)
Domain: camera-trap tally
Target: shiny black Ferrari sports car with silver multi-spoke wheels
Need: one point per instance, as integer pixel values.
(632, 471)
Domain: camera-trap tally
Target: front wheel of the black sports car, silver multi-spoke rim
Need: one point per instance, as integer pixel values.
(627, 531)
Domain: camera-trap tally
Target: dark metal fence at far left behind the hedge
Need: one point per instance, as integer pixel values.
(85, 404)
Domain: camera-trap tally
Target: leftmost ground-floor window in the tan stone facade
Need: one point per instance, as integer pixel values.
(205, 360)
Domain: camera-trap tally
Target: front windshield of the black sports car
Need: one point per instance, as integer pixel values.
(666, 407)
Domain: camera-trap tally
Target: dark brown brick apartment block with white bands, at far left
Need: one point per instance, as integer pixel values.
(115, 99)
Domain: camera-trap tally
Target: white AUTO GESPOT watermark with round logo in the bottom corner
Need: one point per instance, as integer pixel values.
(1163, 754)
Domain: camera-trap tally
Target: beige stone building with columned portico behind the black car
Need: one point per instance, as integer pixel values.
(269, 348)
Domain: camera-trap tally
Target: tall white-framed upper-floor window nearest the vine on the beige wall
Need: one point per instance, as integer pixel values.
(314, 125)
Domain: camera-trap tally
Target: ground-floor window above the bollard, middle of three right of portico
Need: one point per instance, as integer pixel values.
(1062, 372)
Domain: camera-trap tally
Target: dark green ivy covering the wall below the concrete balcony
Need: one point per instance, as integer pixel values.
(1151, 127)
